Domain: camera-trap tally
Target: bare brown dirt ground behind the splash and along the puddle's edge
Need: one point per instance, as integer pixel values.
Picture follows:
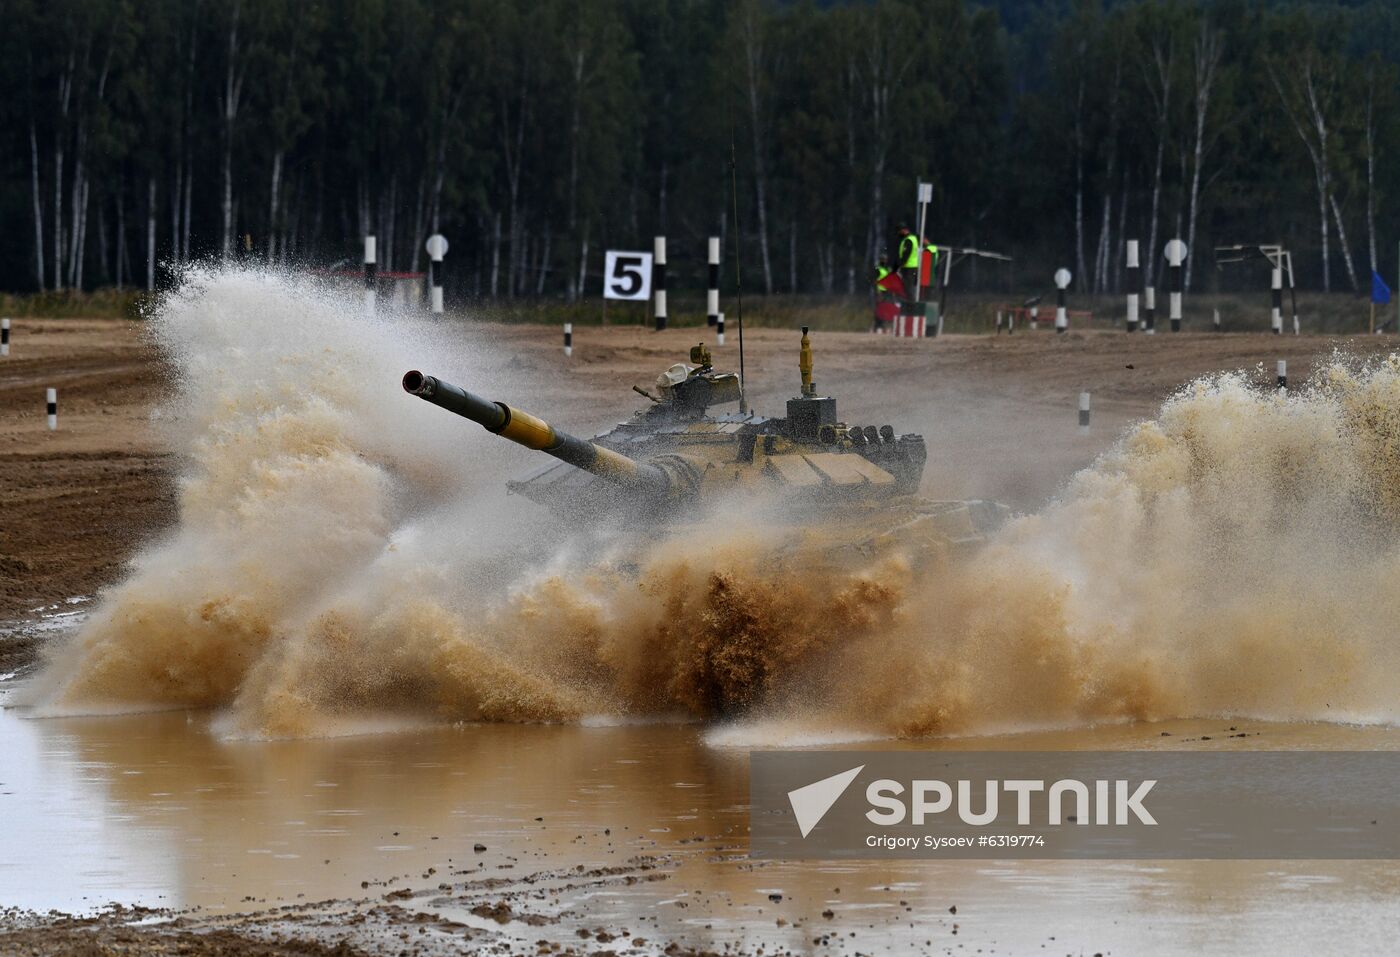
(76, 503)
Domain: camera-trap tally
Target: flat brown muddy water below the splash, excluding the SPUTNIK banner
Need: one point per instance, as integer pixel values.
(156, 809)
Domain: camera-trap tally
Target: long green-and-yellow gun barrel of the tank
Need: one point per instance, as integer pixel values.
(534, 433)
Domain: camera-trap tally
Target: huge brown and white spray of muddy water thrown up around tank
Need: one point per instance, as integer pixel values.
(1234, 556)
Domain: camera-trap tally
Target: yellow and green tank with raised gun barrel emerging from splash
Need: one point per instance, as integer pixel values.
(696, 448)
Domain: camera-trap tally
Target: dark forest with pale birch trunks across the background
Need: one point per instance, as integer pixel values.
(141, 135)
